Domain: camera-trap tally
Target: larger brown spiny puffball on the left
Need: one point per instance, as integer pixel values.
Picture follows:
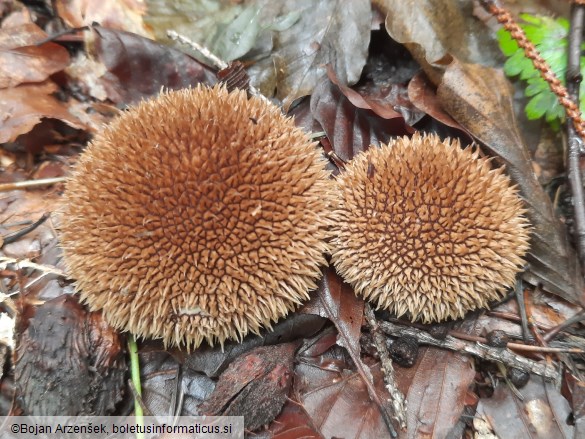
(197, 215)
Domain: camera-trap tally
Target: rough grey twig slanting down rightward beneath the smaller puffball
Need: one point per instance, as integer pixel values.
(502, 355)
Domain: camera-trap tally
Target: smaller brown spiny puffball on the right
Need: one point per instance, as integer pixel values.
(427, 229)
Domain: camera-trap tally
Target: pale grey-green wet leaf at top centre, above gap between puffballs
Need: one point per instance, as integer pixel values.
(327, 32)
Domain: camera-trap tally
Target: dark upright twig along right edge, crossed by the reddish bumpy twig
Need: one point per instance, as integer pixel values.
(574, 142)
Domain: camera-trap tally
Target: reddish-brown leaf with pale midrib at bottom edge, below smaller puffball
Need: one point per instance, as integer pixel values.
(435, 388)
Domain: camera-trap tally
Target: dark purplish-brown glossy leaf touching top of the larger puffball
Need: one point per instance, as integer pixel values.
(137, 67)
